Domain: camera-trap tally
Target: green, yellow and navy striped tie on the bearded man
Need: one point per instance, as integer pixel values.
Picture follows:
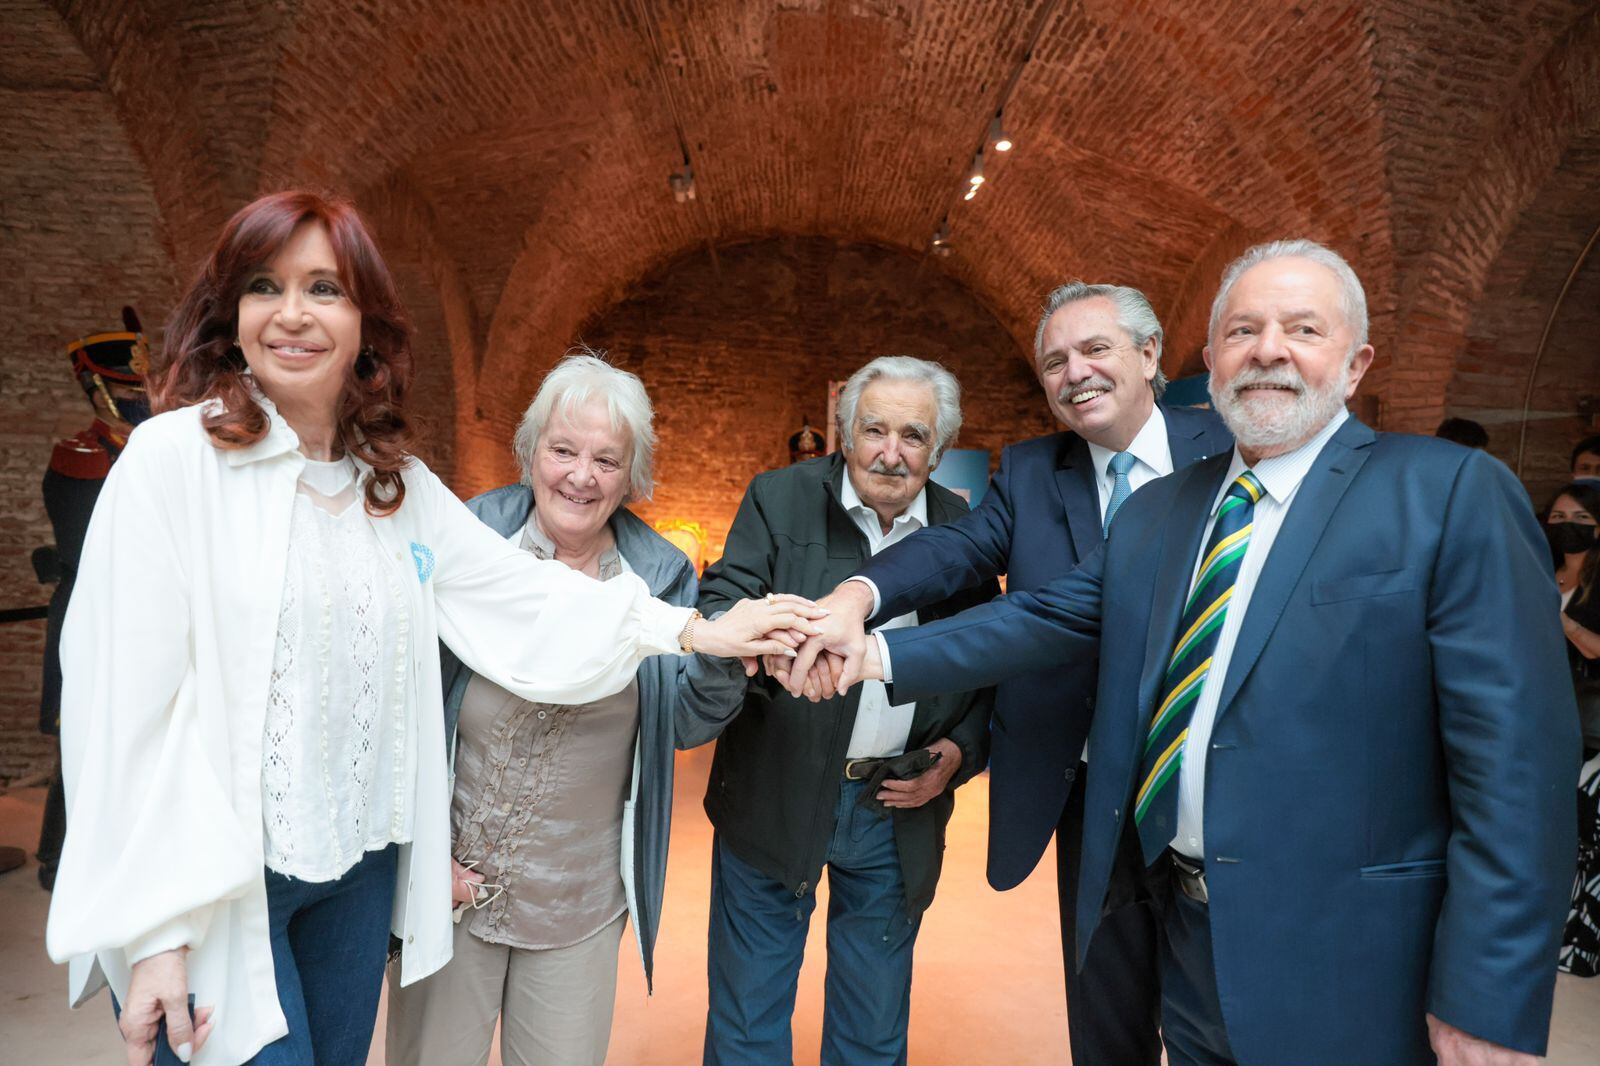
(1156, 804)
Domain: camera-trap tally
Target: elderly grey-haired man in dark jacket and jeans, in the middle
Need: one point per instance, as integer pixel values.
(858, 785)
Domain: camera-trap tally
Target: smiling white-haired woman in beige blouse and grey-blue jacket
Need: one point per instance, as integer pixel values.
(561, 814)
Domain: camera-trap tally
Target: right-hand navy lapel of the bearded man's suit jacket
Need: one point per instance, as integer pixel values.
(1314, 505)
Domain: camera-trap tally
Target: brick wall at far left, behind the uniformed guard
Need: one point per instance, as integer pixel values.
(79, 238)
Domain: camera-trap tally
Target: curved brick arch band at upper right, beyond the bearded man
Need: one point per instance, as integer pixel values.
(1559, 103)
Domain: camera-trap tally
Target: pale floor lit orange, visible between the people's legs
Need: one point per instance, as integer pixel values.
(988, 982)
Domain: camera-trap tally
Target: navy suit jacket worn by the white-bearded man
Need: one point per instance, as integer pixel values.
(1390, 806)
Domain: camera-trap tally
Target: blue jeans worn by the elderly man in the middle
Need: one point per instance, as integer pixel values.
(758, 944)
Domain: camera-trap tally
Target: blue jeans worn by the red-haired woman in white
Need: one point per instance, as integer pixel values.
(330, 942)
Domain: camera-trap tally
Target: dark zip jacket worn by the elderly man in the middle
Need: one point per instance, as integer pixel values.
(775, 780)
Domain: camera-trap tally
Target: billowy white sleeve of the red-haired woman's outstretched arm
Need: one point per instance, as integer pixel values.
(538, 628)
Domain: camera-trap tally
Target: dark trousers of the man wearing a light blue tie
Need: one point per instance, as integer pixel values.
(1114, 1006)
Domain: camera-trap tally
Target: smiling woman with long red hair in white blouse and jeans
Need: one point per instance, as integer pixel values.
(252, 715)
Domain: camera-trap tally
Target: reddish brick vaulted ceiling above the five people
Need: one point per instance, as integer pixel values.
(521, 151)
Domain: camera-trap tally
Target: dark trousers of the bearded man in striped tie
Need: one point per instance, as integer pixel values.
(1191, 1009)
